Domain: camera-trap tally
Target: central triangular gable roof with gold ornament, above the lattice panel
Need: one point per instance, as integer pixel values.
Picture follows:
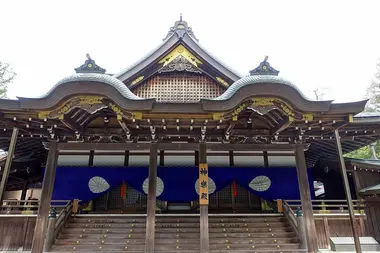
(180, 53)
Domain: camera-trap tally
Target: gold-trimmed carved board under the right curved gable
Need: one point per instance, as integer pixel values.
(263, 105)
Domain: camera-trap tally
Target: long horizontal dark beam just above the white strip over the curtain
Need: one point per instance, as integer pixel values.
(177, 146)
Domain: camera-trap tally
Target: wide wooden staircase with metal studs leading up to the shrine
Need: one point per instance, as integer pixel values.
(178, 233)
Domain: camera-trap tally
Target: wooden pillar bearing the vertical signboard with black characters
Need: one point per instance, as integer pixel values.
(203, 198)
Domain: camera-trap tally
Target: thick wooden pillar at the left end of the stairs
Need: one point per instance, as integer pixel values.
(46, 194)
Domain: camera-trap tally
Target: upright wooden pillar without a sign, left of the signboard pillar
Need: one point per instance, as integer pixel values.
(151, 205)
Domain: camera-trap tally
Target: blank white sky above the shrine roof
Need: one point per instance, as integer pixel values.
(315, 44)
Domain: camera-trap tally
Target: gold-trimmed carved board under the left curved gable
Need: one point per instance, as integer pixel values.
(90, 104)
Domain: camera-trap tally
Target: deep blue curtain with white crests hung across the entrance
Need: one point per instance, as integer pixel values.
(178, 182)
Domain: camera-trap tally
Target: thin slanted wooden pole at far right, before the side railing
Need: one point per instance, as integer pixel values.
(348, 191)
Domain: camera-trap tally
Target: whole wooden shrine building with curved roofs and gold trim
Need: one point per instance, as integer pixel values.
(180, 153)
